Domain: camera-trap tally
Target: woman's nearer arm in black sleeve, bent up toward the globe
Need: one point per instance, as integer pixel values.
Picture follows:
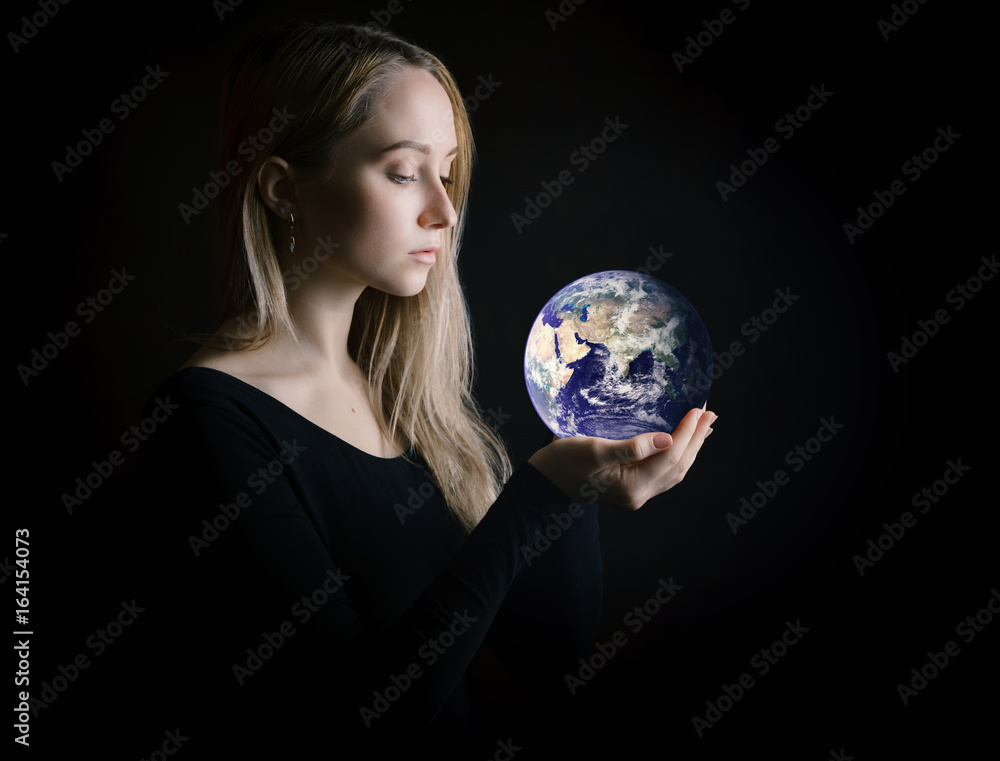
(233, 600)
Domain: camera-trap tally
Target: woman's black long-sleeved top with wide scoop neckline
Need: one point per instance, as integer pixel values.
(312, 592)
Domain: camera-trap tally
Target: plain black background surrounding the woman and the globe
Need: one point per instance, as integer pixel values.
(654, 186)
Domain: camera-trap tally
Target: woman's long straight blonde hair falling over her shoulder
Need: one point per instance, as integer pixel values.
(417, 352)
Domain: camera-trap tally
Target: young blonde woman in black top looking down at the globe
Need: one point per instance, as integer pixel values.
(341, 528)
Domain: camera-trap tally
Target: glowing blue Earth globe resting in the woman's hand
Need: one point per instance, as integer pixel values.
(616, 354)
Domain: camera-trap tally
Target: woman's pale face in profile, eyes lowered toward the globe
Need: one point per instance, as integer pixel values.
(385, 206)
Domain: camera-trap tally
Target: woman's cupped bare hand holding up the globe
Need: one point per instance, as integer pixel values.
(624, 473)
